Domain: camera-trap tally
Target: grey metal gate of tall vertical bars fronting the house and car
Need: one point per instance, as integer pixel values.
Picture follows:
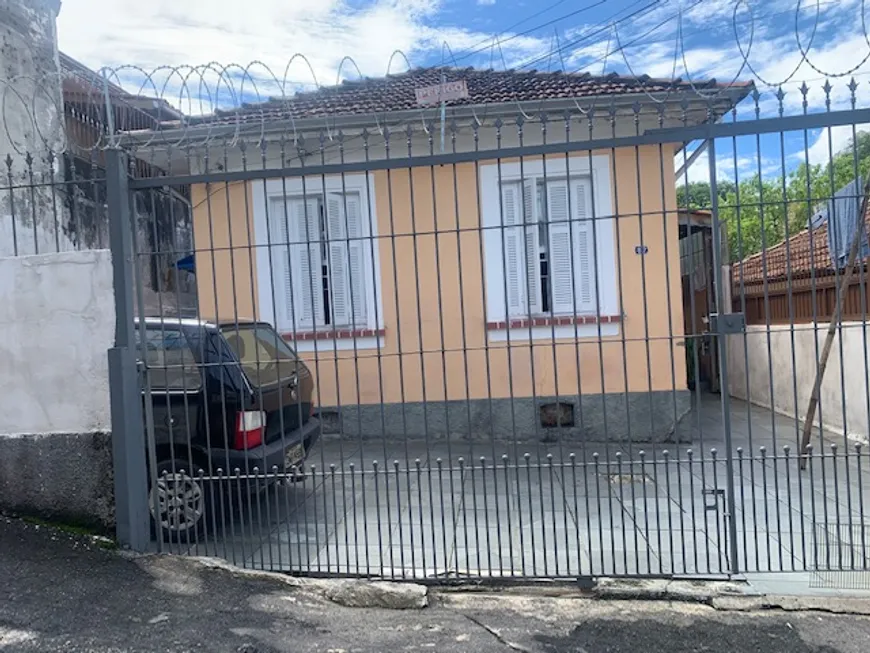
(457, 434)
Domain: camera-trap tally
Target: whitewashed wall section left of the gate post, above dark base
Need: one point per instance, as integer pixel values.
(57, 322)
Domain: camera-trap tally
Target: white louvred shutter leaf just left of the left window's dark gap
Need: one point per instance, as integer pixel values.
(306, 261)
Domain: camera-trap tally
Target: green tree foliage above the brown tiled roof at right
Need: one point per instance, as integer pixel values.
(757, 211)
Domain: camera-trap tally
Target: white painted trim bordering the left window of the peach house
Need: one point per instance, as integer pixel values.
(291, 187)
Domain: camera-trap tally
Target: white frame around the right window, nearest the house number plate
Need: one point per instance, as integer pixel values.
(492, 177)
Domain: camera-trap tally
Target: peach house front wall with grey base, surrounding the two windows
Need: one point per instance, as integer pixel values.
(633, 357)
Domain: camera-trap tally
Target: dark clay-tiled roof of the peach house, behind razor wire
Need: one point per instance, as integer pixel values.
(397, 92)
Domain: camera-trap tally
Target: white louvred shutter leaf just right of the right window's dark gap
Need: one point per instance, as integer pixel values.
(561, 255)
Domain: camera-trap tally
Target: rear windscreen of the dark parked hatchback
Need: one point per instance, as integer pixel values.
(263, 354)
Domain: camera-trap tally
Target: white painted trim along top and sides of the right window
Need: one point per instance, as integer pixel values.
(490, 214)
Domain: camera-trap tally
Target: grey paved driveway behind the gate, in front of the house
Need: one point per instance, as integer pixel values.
(454, 509)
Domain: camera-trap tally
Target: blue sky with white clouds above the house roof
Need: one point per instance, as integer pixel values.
(269, 47)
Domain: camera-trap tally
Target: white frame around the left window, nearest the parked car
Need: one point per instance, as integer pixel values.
(269, 283)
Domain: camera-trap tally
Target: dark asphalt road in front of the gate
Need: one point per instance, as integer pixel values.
(60, 592)
